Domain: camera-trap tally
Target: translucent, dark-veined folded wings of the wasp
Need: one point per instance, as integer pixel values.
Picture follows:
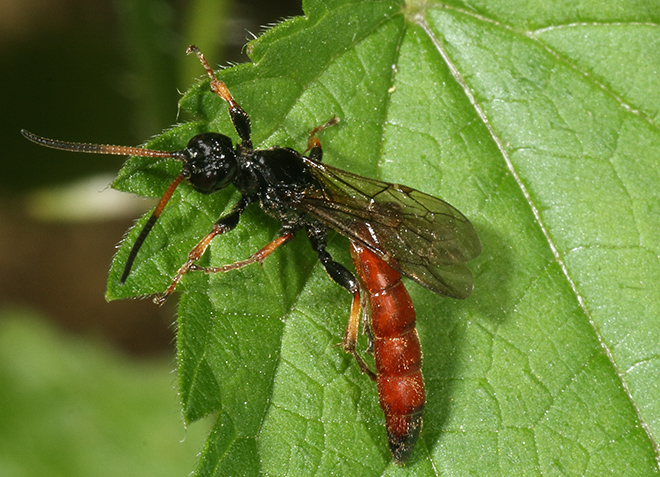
(423, 237)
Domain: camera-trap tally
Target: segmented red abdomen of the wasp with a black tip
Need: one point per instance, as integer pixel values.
(397, 351)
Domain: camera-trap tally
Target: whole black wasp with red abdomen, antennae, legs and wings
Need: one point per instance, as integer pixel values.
(393, 230)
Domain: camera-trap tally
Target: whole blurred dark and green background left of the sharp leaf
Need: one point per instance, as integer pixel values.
(86, 387)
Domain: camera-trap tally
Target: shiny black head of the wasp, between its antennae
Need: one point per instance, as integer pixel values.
(209, 162)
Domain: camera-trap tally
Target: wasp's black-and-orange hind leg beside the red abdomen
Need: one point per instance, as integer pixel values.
(339, 273)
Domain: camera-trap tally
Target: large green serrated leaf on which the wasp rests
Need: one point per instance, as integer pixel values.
(535, 119)
